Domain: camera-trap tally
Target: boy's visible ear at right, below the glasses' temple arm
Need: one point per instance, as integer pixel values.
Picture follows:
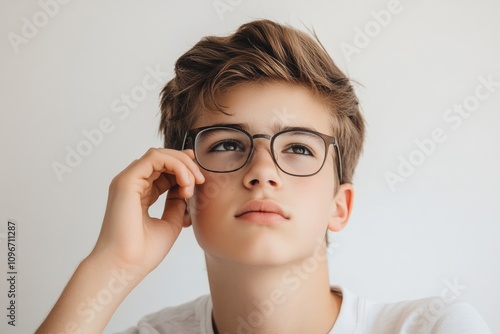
(341, 207)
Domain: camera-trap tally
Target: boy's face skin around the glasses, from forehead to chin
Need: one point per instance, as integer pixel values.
(224, 209)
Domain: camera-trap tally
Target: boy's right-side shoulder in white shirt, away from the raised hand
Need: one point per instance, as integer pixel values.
(428, 315)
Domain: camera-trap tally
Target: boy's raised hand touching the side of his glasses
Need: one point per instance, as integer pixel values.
(129, 236)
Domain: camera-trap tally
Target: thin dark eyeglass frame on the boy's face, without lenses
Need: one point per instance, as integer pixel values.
(328, 140)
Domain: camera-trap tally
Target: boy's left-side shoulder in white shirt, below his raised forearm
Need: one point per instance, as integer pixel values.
(190, 317)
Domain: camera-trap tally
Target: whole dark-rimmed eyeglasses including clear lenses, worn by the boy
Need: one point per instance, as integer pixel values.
(224, 149)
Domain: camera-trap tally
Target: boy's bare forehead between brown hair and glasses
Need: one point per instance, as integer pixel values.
(266, 107)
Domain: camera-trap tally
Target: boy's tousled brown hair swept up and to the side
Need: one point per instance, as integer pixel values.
(261, 50)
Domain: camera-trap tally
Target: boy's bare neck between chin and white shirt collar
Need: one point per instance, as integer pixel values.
(272, 299)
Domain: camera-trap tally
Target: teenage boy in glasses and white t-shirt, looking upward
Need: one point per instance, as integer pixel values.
(262, 135)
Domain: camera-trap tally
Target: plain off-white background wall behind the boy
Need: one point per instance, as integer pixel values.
(441, 223)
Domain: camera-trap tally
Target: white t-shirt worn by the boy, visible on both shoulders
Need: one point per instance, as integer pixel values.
(357, 315)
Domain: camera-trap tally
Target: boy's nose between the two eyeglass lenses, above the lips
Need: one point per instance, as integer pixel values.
(261, 170)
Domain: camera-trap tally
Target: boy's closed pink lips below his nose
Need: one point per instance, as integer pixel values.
(262, 211)
